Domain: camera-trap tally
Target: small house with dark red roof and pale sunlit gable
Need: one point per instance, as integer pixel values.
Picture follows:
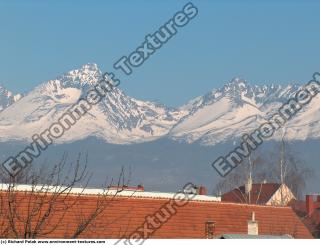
(260, 193)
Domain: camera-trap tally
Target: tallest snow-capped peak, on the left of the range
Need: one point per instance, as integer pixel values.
(118, 118)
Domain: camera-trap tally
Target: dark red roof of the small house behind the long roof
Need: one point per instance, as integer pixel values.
(259, 194)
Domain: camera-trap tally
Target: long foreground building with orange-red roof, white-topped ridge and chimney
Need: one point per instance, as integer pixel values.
(134, 214)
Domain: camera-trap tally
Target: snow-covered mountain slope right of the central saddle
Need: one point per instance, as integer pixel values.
(229, 112)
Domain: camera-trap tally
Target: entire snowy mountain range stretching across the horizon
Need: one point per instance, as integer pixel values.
(221, 115)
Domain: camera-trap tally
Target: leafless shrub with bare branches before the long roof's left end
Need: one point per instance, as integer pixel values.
(40, 210)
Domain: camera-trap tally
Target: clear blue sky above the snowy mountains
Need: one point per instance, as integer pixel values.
(260, 41)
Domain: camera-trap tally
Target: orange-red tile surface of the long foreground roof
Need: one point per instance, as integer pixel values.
(124, 215)
